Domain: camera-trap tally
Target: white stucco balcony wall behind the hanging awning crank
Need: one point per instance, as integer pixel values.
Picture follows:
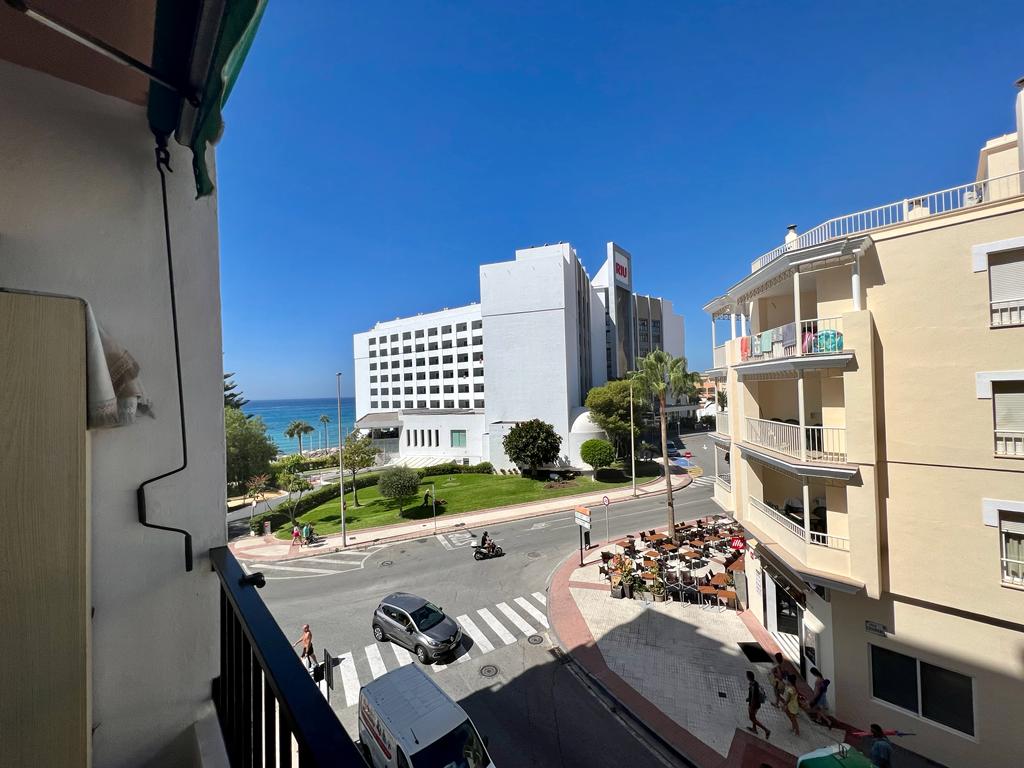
(80, 215)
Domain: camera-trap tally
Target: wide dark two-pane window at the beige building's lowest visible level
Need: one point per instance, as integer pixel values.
(932, 693)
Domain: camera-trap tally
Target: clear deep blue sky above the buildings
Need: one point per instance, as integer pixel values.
(376, 154)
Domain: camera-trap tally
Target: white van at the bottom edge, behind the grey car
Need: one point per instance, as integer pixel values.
(407, 721)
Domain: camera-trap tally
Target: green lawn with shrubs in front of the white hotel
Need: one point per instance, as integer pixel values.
(462, 493)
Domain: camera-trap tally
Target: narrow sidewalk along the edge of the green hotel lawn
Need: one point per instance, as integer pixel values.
(271, 548)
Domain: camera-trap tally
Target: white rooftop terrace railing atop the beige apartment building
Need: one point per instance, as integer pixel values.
(910, 209)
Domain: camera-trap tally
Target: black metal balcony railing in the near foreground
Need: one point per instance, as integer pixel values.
(265, 697)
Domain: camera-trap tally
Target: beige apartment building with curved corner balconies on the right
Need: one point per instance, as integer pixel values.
(875, 438)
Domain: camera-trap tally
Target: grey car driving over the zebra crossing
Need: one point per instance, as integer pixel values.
(418, 625)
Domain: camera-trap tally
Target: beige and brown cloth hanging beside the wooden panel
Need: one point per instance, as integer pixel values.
(115, 394)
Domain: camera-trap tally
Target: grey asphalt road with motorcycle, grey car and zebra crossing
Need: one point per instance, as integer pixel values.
(535, 710)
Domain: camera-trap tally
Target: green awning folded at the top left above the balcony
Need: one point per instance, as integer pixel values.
(196, 45)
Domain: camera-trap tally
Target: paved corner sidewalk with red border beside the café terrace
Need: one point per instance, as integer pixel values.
(677, 668)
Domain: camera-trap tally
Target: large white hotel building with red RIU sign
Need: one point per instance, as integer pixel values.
(449, 386)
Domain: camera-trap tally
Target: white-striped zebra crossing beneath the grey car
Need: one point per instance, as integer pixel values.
(506, 625)
